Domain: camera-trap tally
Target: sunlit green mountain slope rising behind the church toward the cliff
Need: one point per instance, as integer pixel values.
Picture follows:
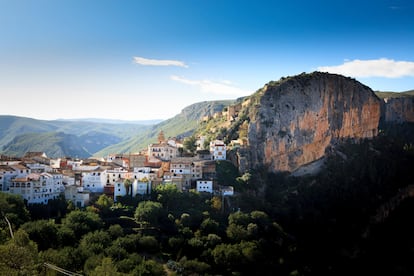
(181, 125)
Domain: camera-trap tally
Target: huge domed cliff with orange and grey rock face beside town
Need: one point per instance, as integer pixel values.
(293, 121)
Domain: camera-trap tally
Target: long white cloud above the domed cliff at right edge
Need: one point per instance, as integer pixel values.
(387, 68)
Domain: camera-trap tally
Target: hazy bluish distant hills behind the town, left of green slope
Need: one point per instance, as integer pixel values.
(71, 138)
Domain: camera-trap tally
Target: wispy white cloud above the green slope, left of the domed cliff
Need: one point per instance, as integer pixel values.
(207, 86)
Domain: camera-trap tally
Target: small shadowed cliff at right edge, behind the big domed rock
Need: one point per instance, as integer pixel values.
(398, 110)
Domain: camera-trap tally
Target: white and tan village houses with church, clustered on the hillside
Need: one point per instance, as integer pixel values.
(39, 179)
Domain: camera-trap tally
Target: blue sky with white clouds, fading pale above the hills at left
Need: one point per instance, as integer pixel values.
(144, 60)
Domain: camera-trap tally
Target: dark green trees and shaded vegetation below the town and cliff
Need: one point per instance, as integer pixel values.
(353, 218)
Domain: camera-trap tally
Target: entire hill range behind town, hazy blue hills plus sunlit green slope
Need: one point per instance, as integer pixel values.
(96, 137)
